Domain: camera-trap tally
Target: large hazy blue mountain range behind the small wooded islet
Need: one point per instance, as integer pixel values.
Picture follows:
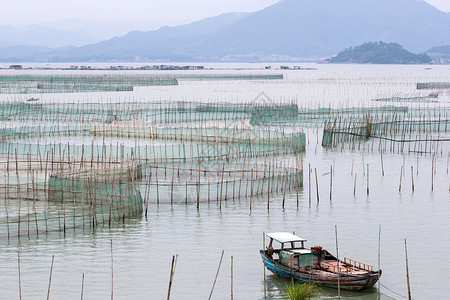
(289, 29)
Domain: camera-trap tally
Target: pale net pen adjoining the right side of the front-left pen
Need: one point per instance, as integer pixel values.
(216, 180)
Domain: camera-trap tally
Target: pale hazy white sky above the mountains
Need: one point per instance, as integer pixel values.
(162, 12)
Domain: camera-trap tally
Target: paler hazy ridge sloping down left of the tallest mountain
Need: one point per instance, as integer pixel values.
(162, 44)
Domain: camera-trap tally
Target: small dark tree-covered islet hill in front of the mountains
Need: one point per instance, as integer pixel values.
(379, 53)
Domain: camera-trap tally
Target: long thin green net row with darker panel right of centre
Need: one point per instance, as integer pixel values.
(169, 112)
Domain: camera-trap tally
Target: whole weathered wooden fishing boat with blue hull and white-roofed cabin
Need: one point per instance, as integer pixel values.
(315, 265)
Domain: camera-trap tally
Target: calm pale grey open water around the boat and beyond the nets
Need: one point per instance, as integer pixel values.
(143, 248)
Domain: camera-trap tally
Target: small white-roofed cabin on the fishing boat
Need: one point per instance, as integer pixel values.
(288, 254)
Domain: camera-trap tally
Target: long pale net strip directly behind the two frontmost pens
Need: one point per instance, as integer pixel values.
(83, 154)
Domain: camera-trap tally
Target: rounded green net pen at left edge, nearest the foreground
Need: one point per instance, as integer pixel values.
(69, 201)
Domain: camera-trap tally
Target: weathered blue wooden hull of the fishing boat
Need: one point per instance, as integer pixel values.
(328, 279)
